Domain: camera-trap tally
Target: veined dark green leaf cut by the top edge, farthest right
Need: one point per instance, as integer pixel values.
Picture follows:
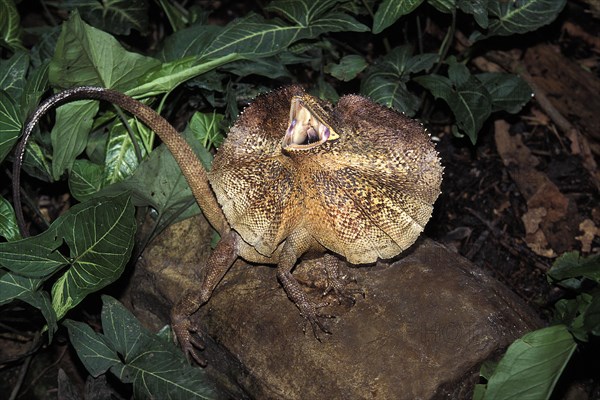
(516, 17)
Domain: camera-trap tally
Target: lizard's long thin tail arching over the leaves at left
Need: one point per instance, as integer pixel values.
(192, 169)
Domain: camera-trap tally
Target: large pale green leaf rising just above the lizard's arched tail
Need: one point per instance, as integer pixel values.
(87, 56)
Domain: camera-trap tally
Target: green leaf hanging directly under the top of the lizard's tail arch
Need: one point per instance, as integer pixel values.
(70, 132)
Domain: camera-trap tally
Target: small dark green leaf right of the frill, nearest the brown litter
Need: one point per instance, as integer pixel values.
(508, 92)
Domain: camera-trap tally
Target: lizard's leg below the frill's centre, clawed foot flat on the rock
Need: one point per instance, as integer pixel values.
(294, 246)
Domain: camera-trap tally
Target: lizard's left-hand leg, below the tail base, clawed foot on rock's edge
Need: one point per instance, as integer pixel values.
(218, 264)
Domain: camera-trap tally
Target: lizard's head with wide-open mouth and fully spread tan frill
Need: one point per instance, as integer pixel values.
(359, 177)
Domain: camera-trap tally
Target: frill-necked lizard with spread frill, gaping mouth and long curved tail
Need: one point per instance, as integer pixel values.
(296, 174)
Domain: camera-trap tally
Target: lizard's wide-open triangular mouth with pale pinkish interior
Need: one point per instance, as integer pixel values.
(306, 130)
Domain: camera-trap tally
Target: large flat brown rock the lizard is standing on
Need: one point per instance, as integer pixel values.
(424, 326)
